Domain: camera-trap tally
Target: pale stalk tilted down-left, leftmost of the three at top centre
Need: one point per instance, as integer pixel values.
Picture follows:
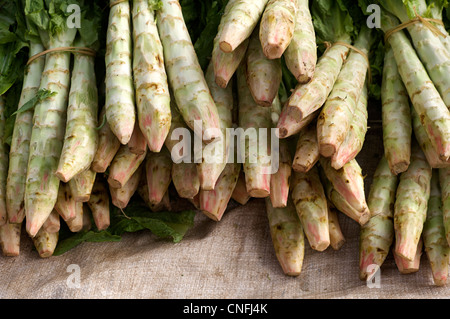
(239, 20)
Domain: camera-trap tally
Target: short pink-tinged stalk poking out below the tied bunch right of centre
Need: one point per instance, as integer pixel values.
(348, 183)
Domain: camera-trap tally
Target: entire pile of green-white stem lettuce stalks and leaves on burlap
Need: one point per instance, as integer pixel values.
(96, 146)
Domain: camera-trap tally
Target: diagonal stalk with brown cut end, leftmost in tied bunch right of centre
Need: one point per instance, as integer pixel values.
(308, 98)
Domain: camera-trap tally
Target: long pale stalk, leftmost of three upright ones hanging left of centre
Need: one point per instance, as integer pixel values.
(119, 87)
